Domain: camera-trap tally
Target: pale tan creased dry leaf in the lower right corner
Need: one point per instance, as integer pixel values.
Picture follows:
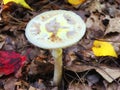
(108, 73)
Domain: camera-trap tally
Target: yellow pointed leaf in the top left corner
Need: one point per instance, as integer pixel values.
(21, 2)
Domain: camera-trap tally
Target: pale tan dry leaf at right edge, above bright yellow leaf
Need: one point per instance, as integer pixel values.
(114, 25)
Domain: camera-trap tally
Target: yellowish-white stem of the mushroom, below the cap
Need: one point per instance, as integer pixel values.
(57, 54)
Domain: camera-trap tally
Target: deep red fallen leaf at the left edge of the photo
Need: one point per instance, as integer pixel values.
(10, 62)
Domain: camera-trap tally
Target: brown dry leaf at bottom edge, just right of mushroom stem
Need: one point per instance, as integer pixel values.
(78, 86)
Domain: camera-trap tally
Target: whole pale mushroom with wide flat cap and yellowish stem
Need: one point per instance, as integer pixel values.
(55, 30)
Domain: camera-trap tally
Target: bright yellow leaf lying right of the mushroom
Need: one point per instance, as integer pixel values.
(101, 48)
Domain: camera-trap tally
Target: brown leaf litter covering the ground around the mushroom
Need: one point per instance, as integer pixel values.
(83, 70)
